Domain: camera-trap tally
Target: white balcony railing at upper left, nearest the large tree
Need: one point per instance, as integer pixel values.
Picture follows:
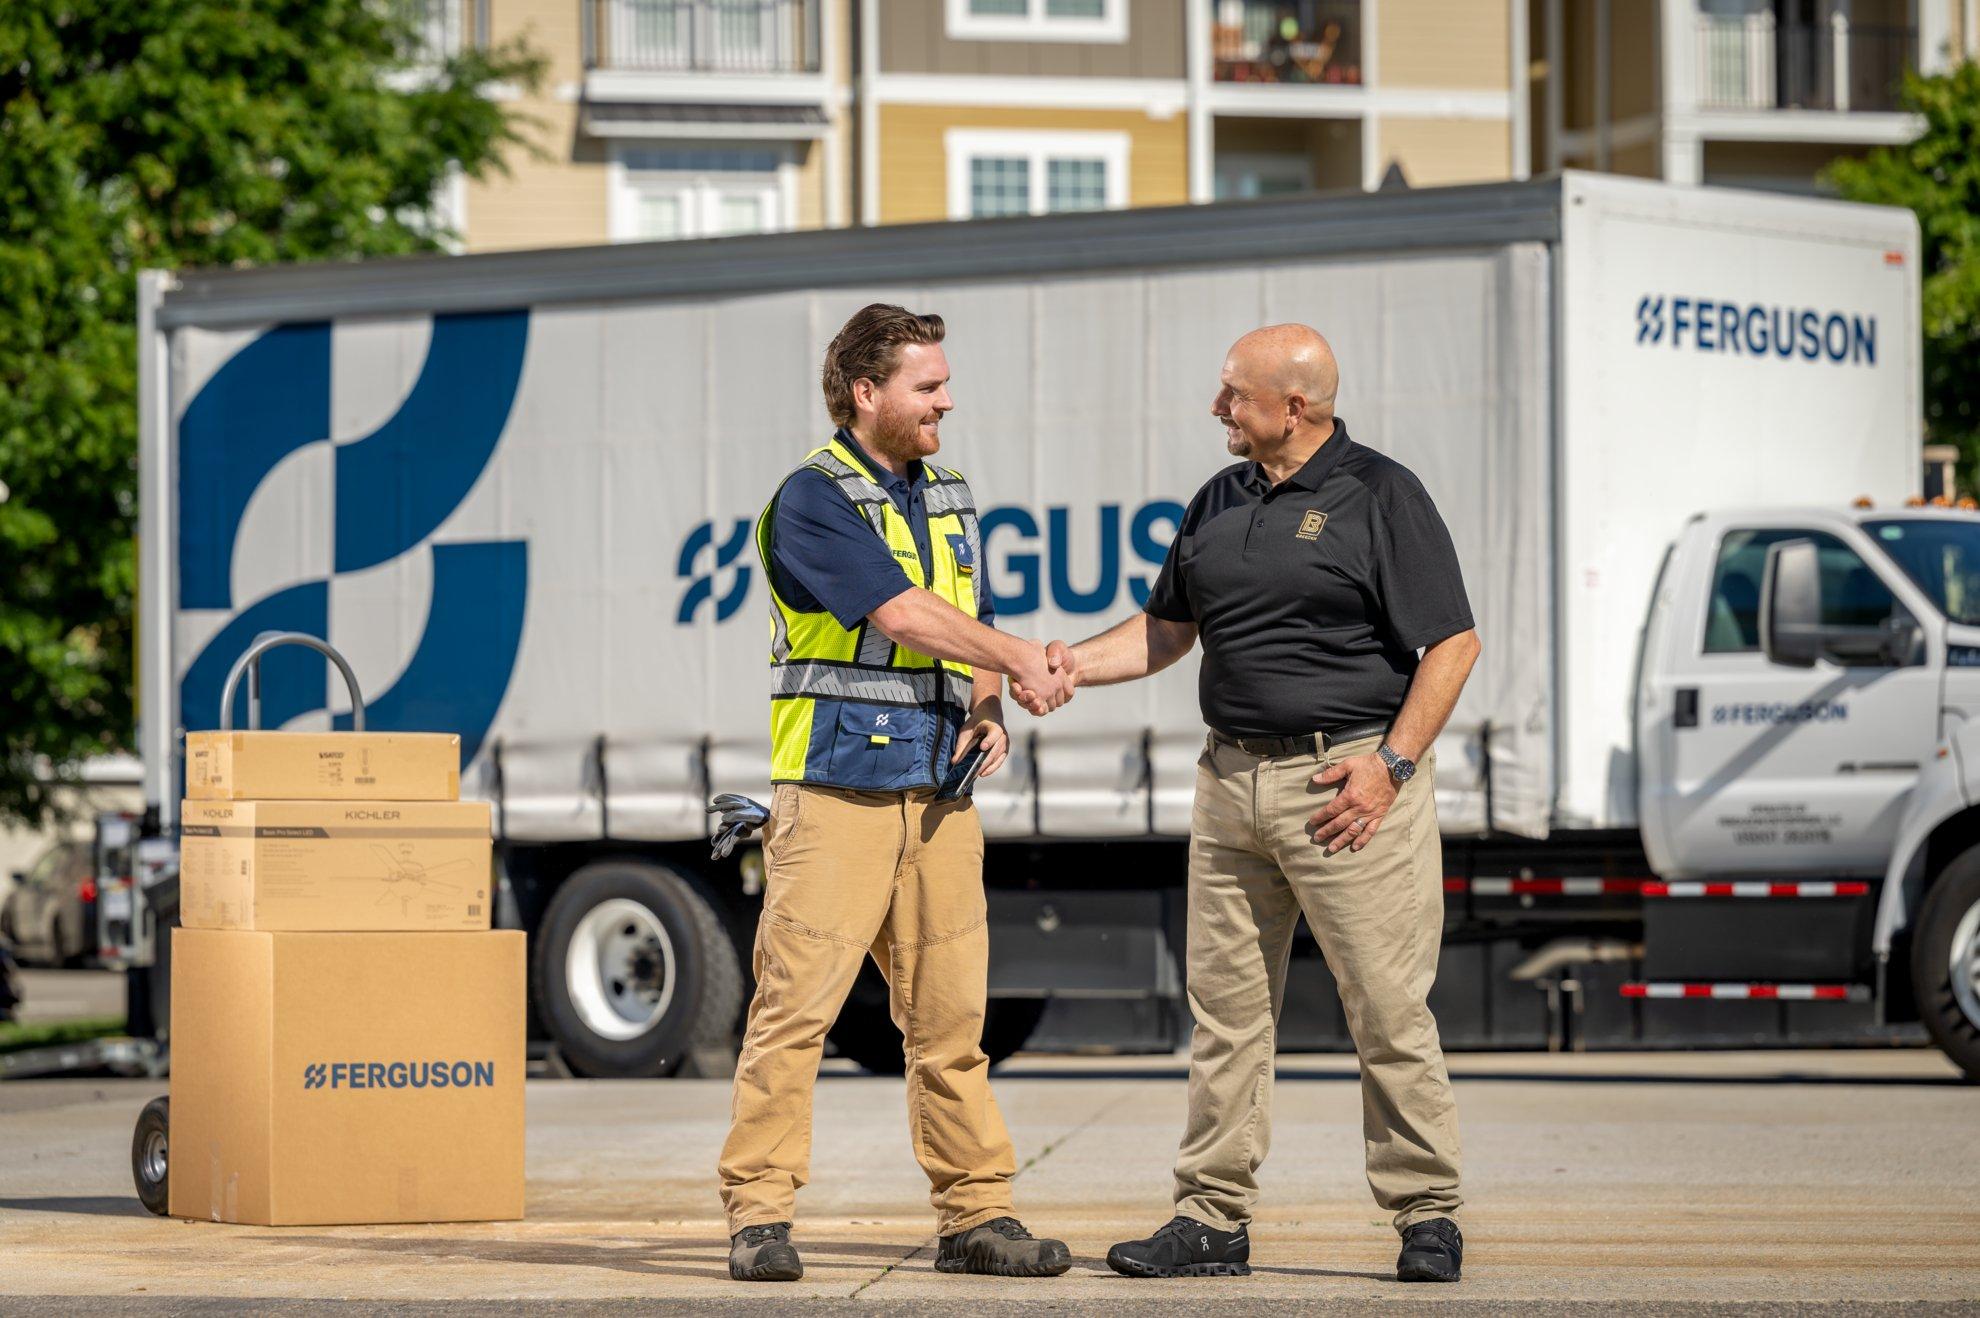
(702, 37)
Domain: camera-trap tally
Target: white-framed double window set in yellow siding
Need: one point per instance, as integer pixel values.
(995, 173)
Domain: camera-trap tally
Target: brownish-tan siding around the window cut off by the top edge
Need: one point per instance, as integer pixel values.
(914, 39)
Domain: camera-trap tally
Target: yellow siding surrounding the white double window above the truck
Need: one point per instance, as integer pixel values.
(916, 165)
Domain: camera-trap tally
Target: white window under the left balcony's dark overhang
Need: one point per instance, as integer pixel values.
(698, 193)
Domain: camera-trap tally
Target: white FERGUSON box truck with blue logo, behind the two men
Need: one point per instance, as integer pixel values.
(1712, 781)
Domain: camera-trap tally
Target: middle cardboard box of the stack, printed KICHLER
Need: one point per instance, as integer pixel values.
(336, 866)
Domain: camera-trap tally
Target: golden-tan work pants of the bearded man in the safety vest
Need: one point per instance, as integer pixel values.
(900, 878)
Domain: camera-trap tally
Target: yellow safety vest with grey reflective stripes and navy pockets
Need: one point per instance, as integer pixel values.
(848, 707)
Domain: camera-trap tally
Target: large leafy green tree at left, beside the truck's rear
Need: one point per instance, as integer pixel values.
(175, 134)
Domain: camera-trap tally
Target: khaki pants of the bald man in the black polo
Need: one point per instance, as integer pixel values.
(1379, 919)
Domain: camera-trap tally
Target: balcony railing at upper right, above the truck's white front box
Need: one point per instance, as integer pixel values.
(1751, 62)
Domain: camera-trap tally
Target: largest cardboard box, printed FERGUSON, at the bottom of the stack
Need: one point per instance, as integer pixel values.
(347, 1078)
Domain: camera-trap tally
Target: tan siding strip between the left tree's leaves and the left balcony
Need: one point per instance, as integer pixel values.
(555, 197)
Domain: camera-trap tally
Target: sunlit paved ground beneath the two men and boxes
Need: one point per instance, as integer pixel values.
(1733, 1182)
